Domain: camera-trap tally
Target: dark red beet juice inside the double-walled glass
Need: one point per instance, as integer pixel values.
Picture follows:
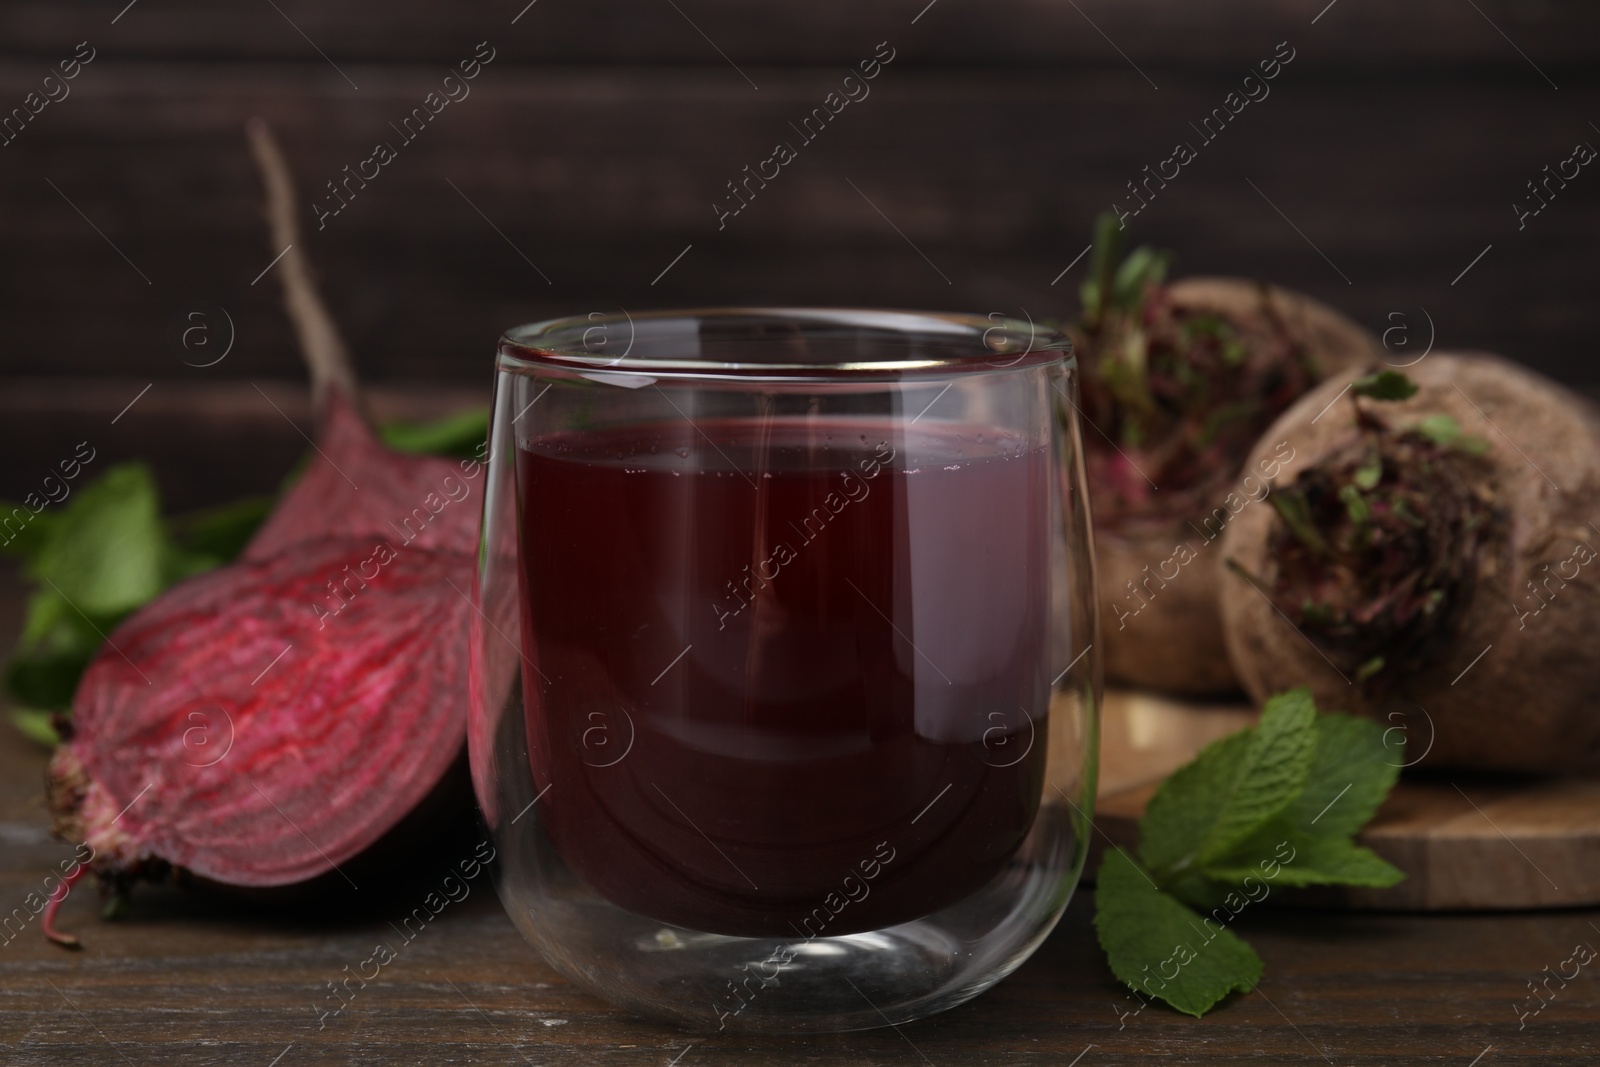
(786, 677)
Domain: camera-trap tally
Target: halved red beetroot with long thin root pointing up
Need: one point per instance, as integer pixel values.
(266, 724)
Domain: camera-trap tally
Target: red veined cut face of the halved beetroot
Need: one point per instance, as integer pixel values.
(255, 743)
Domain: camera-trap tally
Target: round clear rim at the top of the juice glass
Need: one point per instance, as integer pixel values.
(972, 343)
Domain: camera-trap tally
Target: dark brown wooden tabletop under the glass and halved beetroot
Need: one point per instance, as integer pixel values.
(196, 980)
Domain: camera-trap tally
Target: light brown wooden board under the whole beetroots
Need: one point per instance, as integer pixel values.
(1466, 842)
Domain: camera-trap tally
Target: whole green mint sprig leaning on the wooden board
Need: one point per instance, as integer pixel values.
(1274, 805)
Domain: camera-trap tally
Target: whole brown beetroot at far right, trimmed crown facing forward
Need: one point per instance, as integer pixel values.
(1430, 561)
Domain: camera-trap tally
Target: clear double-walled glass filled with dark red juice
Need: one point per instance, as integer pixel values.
(785, 674)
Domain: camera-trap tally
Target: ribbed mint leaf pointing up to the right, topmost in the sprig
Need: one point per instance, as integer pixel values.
(1231, 789)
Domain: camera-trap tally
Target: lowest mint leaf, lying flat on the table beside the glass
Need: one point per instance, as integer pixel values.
(1161, 948)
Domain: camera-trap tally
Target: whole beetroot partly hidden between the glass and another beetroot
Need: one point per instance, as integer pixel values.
(1178, 385)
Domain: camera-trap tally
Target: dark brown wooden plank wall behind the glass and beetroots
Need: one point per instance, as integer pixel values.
(593, 150)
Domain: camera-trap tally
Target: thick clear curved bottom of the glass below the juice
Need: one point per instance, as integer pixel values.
(716, 983)
